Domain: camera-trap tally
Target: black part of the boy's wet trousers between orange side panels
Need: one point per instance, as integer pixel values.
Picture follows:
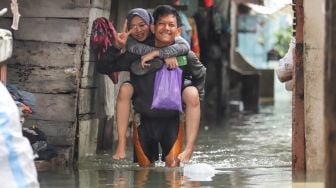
(155, 131)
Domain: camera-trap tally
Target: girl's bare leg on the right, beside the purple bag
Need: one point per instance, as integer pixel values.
(193, 115)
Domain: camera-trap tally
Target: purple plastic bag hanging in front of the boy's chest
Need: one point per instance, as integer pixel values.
(167, 89)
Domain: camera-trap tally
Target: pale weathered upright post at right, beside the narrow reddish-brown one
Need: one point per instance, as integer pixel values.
(314, 27)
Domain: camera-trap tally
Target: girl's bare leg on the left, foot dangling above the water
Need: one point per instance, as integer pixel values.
(123, 113)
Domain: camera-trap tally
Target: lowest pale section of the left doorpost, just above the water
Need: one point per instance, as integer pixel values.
(88, 132)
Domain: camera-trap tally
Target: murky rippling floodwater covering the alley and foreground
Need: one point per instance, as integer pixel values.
(247, 150)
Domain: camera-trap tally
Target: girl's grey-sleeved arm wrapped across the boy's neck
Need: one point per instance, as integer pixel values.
(180, 47)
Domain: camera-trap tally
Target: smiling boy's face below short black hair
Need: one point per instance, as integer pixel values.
(166, 30)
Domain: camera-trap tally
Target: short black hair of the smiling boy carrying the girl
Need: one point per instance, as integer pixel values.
(163, 10)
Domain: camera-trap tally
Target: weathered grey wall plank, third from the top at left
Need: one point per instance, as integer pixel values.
(46, 54)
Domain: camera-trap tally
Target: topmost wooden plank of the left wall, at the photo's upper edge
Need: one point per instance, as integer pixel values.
(53, 9)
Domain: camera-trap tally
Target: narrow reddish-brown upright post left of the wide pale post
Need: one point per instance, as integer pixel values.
(298, 124)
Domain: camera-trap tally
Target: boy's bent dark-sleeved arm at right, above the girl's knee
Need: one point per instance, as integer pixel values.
(198, 73)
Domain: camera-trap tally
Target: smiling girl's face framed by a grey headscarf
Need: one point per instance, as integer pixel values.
(140, 29)
